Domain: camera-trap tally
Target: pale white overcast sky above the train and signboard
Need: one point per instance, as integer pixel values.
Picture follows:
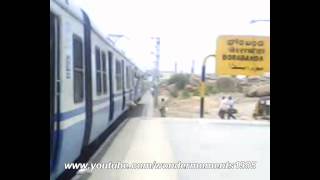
(188, 29)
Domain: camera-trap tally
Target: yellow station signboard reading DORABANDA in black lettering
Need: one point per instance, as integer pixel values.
(243, 55)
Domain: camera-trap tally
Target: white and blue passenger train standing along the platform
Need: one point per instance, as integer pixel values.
(92, 83)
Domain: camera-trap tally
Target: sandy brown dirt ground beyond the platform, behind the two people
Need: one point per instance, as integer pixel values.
(190, 108)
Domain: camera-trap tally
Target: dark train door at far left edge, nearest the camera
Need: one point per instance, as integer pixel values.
(54, 85)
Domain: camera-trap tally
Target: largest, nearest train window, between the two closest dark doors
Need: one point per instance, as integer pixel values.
(78, 82)
